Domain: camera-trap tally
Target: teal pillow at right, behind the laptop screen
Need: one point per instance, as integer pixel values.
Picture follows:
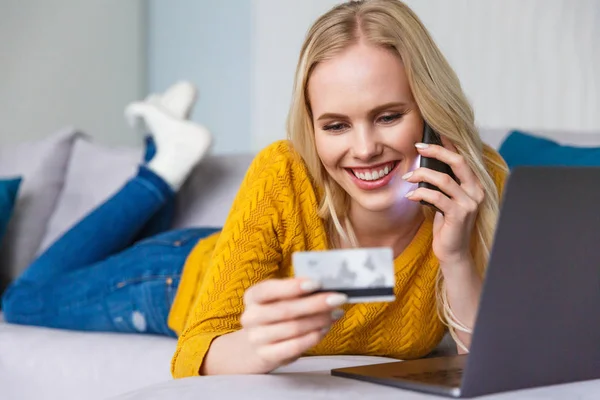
(523, 149)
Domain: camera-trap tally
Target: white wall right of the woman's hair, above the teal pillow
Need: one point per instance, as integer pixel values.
(531, 64)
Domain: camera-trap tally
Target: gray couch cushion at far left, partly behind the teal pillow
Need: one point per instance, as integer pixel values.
(42, 164)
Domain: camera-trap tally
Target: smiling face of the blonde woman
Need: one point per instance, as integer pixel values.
(366, 124)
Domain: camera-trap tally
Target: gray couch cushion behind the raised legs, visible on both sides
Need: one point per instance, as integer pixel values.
(95, 172)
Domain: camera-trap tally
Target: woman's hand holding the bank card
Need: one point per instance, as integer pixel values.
(282, 319)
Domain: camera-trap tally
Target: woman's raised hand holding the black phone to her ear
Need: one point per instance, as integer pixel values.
(459, 202)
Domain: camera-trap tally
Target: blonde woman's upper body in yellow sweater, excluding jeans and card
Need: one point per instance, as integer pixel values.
(368, 77)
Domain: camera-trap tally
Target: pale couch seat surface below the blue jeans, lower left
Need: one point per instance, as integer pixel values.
(39, 363)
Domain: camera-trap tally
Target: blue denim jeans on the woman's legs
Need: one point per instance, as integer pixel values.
(117, 270)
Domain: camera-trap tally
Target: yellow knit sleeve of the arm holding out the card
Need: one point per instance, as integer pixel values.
(248, 251)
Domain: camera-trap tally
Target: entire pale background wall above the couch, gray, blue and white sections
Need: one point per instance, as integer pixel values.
(528, 64)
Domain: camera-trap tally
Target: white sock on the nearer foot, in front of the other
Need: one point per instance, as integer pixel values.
(180, 144)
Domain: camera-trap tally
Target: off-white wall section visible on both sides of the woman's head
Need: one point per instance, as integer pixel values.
(527, 64)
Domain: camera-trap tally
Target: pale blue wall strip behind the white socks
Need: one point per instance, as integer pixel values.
(207, 42)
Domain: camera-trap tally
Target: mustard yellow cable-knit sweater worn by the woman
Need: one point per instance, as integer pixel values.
(274, 215)
